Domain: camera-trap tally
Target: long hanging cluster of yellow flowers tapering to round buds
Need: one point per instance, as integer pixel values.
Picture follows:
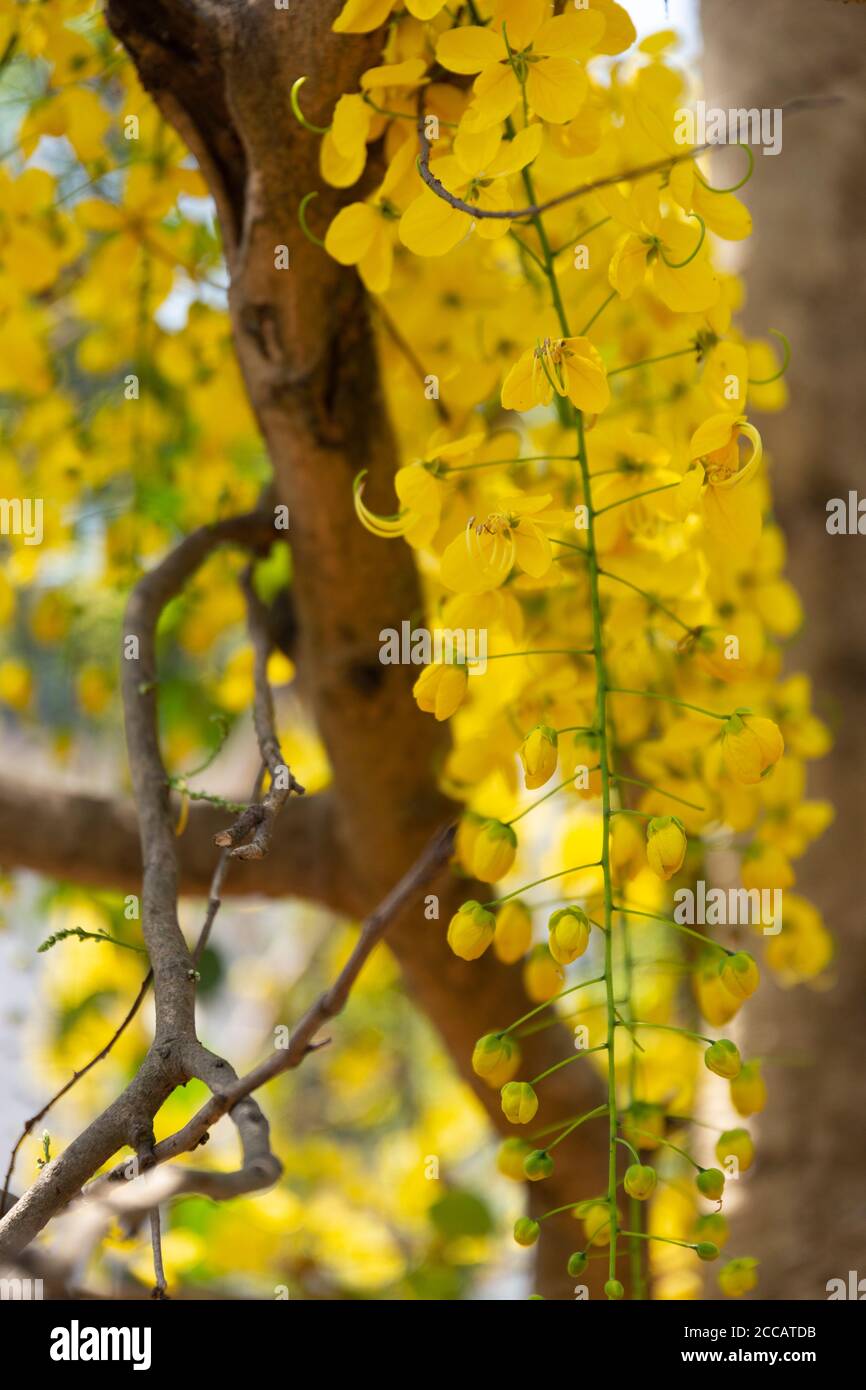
(585, 483)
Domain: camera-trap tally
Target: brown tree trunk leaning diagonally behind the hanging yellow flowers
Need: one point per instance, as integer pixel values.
(222, 72)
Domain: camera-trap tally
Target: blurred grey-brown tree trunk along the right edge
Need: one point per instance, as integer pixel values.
(804, 1216)
